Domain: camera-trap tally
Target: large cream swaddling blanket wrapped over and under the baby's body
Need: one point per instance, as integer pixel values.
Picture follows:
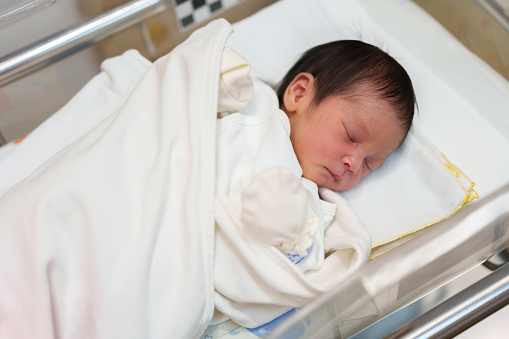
(114, 236)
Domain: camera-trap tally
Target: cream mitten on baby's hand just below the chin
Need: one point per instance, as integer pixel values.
(274, 211)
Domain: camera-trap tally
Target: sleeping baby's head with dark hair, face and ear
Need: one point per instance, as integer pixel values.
(350, 105)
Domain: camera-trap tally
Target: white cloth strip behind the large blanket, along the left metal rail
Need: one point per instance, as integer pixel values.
(98, 99)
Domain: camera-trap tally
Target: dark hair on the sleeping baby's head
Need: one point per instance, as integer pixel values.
(340, 67)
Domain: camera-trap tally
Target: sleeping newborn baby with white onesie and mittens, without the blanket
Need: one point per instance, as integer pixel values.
(340, 111)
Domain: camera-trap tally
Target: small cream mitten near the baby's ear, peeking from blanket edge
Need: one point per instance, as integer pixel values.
(235, 85)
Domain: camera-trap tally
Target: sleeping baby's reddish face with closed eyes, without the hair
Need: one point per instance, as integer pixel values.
(339, 141)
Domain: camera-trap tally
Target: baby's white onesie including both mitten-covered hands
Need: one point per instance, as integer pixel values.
(259, 172)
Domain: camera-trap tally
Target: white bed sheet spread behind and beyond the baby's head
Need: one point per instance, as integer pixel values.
(463, 130)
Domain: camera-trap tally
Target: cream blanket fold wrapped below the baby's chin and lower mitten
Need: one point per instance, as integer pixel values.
(256, 283)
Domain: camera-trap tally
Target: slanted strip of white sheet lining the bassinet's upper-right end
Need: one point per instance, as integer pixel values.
(481, 86)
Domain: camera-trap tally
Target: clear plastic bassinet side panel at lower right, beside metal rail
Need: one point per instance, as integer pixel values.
(406, 273)
